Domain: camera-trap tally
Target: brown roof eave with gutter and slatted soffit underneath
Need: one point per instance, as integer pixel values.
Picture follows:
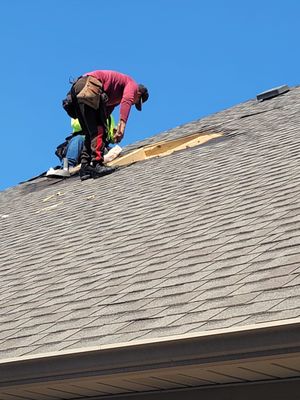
(240, 355)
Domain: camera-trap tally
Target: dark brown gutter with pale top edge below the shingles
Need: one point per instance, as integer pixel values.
(263, 341)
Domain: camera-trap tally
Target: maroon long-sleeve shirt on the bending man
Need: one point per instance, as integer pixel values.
(120, 89)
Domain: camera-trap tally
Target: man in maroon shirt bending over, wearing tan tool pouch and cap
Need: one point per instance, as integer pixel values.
(92, 99)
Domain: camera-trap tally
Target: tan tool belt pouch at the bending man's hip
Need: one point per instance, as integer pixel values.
(92, 93)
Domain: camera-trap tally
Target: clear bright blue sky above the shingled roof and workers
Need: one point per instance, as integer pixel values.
(196, 57)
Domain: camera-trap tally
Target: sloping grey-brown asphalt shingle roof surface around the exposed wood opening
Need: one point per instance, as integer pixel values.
(201, 240)
